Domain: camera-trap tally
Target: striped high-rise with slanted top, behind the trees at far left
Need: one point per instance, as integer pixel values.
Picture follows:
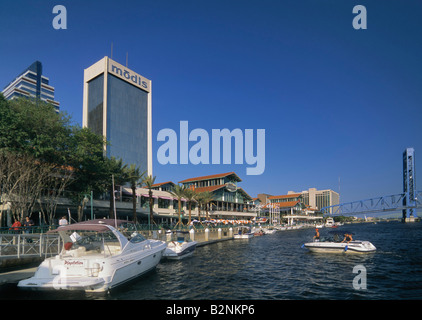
(31, 83)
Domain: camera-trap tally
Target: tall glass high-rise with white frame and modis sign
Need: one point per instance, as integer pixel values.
(117, 105)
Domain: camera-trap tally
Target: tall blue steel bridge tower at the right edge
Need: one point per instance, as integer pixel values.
(409, 185)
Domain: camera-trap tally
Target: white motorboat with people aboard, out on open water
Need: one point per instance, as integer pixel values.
(335, 244)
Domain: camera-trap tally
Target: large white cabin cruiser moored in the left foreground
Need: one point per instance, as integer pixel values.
(96, 257)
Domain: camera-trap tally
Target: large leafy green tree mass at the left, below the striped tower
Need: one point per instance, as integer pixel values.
(41, 141)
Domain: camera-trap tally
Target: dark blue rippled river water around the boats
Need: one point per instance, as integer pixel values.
(276, 267)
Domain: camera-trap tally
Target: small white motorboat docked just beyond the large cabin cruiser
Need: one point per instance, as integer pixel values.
(180, 246)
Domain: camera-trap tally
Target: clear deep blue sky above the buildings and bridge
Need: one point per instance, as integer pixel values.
(334, 101)
